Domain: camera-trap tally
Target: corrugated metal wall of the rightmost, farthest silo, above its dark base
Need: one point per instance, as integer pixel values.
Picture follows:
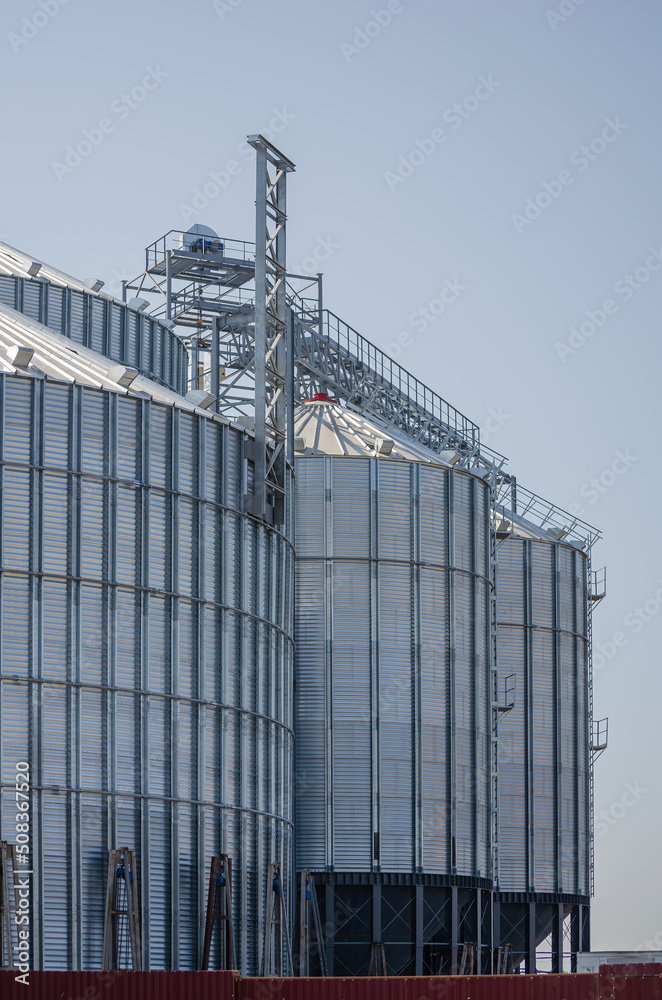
(544, 741)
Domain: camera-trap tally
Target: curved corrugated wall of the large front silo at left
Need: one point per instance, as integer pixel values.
(147, 666)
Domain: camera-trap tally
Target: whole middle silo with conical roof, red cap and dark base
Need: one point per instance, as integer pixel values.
(393, 694)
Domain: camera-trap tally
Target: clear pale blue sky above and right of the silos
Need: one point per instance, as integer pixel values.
(506, 152)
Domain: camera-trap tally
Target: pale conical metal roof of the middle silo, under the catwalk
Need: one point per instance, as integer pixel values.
(323, 427)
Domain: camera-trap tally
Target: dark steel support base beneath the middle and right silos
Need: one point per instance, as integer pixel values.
(423, 925)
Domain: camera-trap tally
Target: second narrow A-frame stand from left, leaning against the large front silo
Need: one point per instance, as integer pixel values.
(121, 932)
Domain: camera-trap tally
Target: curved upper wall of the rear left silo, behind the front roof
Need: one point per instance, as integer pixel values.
(106, 326)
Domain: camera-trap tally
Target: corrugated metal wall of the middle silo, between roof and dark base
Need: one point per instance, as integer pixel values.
(392, 672)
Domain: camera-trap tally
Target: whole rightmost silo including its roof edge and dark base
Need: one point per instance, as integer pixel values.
(543, 613)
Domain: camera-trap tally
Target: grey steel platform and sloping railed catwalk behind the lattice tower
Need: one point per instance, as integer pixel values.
(217, 302)
